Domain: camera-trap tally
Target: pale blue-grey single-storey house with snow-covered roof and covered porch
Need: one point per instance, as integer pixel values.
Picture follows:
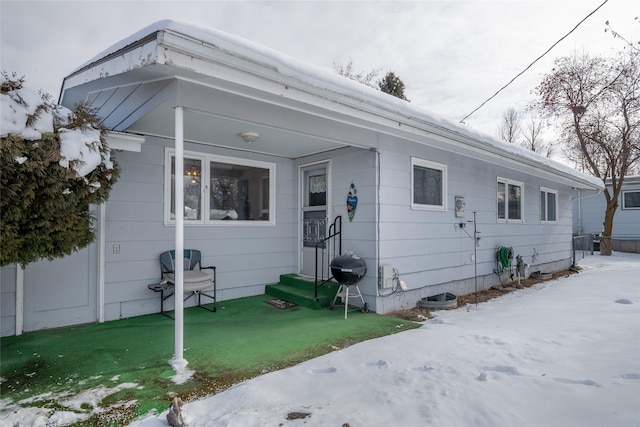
(275, 150)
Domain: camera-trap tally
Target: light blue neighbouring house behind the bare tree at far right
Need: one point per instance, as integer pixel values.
(588, 216)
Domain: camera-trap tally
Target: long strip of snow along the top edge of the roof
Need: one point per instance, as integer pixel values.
(324, 79)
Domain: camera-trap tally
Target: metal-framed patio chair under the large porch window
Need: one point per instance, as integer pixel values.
(195, 281)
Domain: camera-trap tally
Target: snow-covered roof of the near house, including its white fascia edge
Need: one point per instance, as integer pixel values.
(330, 90)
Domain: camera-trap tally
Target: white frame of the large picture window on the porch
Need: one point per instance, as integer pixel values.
(206, 160)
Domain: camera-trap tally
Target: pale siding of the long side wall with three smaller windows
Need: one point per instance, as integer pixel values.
(430, 250)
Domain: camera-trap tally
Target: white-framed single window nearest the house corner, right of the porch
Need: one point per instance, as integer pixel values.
(429, 185)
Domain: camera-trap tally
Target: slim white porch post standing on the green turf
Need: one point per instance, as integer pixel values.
(178, 363)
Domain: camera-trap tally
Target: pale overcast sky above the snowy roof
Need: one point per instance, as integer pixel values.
(451, 55)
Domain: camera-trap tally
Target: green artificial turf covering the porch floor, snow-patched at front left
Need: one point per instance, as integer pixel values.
(244, 338)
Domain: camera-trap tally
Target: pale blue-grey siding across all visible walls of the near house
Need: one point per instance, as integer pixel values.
(432, 253)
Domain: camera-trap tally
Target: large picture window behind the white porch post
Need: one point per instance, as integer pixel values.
(221, 189)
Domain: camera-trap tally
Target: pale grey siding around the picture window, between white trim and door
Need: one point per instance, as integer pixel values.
(246, 256)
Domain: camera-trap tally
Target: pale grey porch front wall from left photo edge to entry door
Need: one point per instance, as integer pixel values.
(246, 256)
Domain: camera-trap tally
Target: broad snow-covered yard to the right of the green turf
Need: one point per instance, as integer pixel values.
(562, 353)
